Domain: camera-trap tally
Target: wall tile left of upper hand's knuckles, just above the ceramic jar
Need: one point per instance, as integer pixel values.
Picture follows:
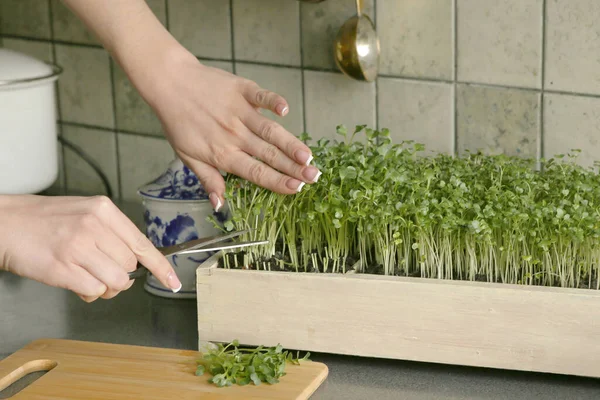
(141, 159)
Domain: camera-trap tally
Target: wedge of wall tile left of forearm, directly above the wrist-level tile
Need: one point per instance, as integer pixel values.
(132, 112)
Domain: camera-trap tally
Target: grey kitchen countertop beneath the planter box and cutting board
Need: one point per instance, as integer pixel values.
(30, 310)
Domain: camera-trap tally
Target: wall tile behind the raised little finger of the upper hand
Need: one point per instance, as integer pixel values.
(286, 82)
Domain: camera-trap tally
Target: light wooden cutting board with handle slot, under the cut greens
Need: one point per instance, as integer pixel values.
(88, 370)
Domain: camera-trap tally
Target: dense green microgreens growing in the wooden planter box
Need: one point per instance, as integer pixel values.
(399, 211)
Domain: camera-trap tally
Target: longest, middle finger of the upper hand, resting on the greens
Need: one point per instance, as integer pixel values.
(274, 157)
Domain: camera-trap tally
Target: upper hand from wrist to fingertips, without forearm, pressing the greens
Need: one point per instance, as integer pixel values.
(212, 121)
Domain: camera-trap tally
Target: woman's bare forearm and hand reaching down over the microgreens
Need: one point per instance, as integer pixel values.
(211, 117)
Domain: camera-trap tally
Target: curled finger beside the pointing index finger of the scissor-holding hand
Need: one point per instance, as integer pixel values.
(104, 269)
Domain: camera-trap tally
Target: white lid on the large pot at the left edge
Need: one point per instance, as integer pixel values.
(15, 66)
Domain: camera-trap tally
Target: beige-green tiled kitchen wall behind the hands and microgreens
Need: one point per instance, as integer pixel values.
(518, 77)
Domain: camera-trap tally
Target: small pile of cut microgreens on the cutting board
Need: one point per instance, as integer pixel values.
(229, 364)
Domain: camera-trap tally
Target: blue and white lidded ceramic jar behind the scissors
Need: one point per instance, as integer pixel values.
(176, 209)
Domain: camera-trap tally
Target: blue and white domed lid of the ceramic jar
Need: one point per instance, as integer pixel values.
(178, 182)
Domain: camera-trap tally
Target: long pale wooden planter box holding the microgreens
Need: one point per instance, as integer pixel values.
(514, 327)
